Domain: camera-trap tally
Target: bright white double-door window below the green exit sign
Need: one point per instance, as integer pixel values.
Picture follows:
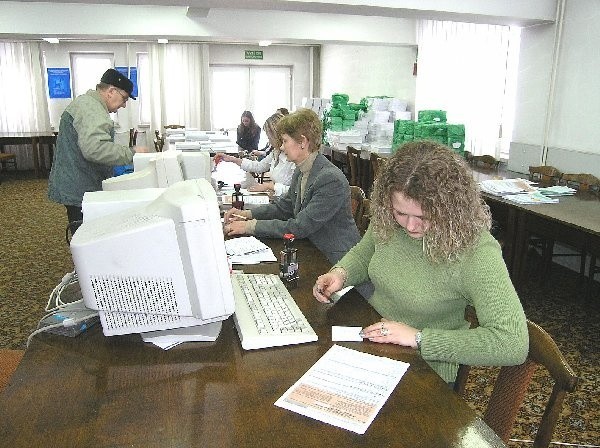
(238, 88)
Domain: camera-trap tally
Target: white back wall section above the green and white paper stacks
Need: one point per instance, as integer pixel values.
(362, 70)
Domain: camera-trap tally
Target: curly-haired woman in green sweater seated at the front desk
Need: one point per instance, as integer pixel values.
(429, 254)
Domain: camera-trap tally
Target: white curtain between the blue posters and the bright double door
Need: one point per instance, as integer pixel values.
(179, 85)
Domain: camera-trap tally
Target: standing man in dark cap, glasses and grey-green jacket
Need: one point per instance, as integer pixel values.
(85, 149)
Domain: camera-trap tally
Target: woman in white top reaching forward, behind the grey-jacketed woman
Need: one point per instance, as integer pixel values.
(276, 162)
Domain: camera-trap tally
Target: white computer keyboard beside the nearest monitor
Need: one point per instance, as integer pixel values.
(266, 315)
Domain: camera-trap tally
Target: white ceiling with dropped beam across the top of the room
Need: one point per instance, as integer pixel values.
(373, 22)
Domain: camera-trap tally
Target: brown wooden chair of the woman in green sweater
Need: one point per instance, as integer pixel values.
(511, 386)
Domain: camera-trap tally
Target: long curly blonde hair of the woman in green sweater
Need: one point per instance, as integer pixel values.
(439, 180)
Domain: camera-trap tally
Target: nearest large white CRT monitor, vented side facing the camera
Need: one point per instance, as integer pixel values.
(156, 267)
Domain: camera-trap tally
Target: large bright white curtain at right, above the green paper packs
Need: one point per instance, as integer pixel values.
(467, 69)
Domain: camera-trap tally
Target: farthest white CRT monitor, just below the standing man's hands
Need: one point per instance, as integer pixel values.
(160, 170)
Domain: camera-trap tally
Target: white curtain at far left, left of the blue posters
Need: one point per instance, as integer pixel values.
(23, 103)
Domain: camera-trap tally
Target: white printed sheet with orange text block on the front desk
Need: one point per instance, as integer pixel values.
(345, 388)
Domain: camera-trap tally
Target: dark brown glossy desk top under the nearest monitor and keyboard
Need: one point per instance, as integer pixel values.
(117, 391)
